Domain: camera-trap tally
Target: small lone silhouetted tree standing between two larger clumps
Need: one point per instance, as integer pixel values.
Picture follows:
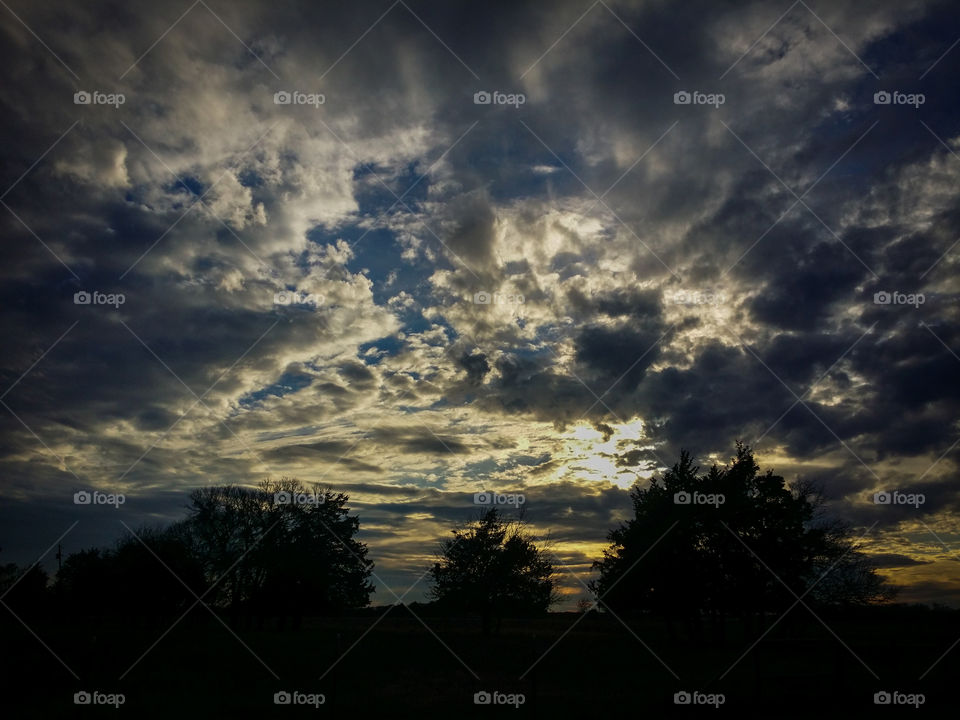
(492, 567)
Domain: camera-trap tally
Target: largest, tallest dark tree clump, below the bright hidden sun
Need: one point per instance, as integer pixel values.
(728, 542)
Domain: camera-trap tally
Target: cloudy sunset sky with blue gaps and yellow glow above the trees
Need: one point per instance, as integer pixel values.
(419, 250)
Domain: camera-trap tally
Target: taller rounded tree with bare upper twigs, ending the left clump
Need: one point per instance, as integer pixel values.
(278, 558)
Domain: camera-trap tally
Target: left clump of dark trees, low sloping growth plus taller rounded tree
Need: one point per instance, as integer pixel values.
(279, 549)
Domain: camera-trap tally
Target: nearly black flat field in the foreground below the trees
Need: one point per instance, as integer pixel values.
(402, 669)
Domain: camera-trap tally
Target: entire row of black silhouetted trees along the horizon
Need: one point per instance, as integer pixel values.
(698, 548)
